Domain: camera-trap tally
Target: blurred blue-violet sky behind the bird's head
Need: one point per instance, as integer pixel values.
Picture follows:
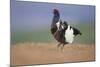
(35, 15)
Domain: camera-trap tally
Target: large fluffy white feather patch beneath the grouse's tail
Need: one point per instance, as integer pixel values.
(69, 35)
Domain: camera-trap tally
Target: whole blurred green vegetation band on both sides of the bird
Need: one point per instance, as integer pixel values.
(44, 35)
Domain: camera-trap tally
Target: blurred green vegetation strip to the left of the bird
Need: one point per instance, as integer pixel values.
(31, 36)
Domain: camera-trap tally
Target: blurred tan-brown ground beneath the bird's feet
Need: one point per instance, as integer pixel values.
(46, 53)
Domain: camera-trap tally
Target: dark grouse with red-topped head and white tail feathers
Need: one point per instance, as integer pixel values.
(61, 31)
